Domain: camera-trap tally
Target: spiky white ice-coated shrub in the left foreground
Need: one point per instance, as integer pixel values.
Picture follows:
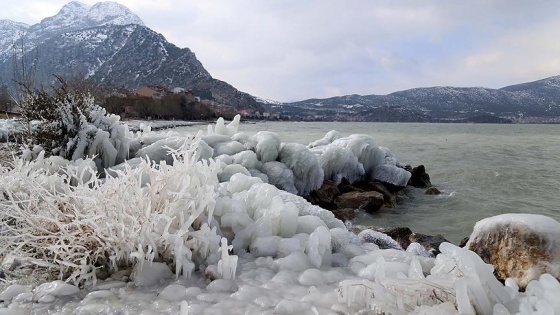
(114, 223)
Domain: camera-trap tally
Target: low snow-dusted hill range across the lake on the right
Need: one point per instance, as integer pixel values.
(442, 103)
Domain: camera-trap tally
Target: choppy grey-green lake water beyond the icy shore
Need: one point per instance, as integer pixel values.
(483, 170)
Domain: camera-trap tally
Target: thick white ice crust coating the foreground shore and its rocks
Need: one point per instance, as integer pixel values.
(264, 249)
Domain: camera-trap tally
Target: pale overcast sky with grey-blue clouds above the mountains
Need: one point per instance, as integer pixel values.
(295, 49)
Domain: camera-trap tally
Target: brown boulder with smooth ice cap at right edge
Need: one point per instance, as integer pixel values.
(519, 246)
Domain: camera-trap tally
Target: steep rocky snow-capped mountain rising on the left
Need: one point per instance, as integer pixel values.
(107, 43)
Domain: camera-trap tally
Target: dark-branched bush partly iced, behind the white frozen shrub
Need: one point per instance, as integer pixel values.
(69, 124)
